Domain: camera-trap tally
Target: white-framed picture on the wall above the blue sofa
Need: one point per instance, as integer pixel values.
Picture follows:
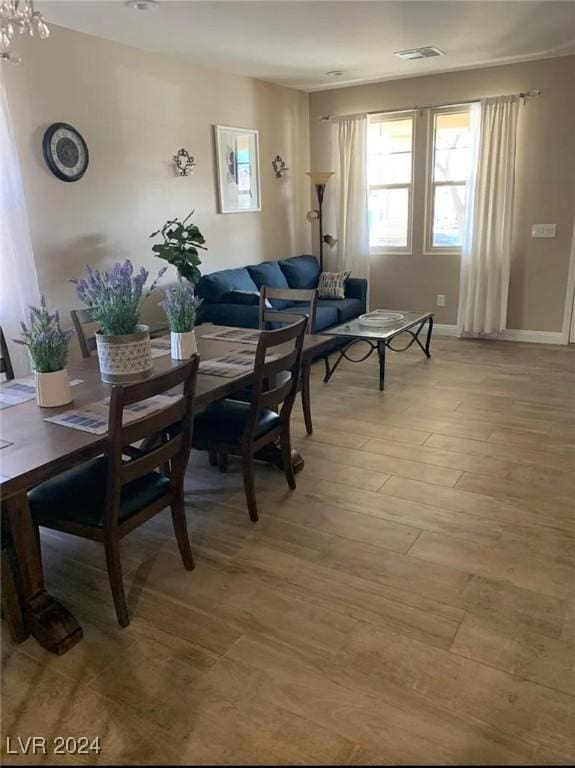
(237, 158)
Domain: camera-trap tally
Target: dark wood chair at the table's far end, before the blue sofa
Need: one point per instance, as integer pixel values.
(269, 316)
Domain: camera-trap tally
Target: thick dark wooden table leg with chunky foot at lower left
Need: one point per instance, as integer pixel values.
(52, 625)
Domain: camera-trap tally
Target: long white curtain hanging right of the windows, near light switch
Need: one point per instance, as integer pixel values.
(486, 251)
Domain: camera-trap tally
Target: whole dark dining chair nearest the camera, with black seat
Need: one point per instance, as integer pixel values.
(106, 498)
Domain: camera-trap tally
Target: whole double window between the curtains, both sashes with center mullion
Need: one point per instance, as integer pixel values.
(418, 193)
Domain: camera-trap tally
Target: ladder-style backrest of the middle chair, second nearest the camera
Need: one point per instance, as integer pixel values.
(271, 384)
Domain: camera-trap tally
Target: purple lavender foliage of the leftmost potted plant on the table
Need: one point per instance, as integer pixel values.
(47, 343)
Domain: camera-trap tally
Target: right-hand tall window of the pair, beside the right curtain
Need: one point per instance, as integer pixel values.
(450, 154)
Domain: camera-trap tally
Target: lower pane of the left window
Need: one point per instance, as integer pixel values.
(388, 217)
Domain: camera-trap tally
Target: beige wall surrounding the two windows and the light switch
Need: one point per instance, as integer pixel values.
(545, 187)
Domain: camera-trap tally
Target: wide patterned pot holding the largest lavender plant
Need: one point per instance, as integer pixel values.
(125, 358)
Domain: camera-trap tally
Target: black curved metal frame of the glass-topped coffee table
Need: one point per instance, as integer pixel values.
(414, 329)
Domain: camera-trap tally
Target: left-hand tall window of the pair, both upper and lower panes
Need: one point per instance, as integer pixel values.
(389, 177)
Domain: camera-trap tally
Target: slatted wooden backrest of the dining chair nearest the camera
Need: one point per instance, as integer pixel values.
(172, 425)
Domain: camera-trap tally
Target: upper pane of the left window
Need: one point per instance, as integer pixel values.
(389, 151)
